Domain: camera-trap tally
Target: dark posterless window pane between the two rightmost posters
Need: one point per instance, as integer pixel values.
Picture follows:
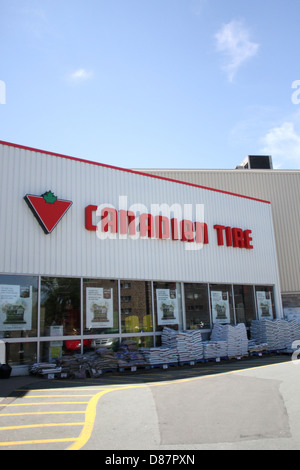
(244, 304)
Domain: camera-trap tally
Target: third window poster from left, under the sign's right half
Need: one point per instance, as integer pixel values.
(167, 307)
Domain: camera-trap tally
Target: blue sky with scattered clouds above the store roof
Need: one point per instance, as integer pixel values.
(152, 83)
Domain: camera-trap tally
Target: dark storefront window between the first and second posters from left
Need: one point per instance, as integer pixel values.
(60, 306)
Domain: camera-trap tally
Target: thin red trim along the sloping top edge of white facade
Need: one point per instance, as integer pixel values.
(9, 144)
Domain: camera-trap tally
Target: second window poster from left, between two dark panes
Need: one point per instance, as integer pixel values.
(99, 307)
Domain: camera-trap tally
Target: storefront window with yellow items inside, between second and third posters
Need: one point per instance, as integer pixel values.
(136, 307)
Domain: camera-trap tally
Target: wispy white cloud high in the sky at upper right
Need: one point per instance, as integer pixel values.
(234, 42)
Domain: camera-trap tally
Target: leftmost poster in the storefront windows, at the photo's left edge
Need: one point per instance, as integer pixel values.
(15, 308)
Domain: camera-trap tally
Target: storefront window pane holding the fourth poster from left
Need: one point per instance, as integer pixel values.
(221, 304)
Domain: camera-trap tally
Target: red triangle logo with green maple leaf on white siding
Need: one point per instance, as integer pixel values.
(47, 209)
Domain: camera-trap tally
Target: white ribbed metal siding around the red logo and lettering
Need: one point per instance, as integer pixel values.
(73, 251)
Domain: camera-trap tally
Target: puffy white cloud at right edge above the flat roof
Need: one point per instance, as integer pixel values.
(283, 143)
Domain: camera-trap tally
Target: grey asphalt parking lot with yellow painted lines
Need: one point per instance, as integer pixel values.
(248, 404)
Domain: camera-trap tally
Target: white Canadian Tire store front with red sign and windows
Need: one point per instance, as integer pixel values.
(92, 255)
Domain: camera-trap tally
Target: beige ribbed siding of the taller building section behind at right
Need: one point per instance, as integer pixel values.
(281, 188)
